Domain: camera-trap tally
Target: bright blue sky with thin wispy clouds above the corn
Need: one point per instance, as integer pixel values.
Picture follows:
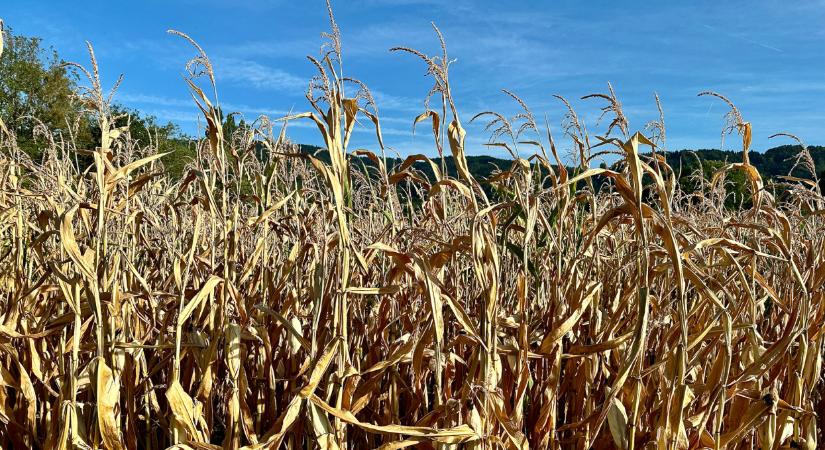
(767, 56)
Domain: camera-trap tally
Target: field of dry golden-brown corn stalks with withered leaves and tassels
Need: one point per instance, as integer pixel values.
(274, 299)
